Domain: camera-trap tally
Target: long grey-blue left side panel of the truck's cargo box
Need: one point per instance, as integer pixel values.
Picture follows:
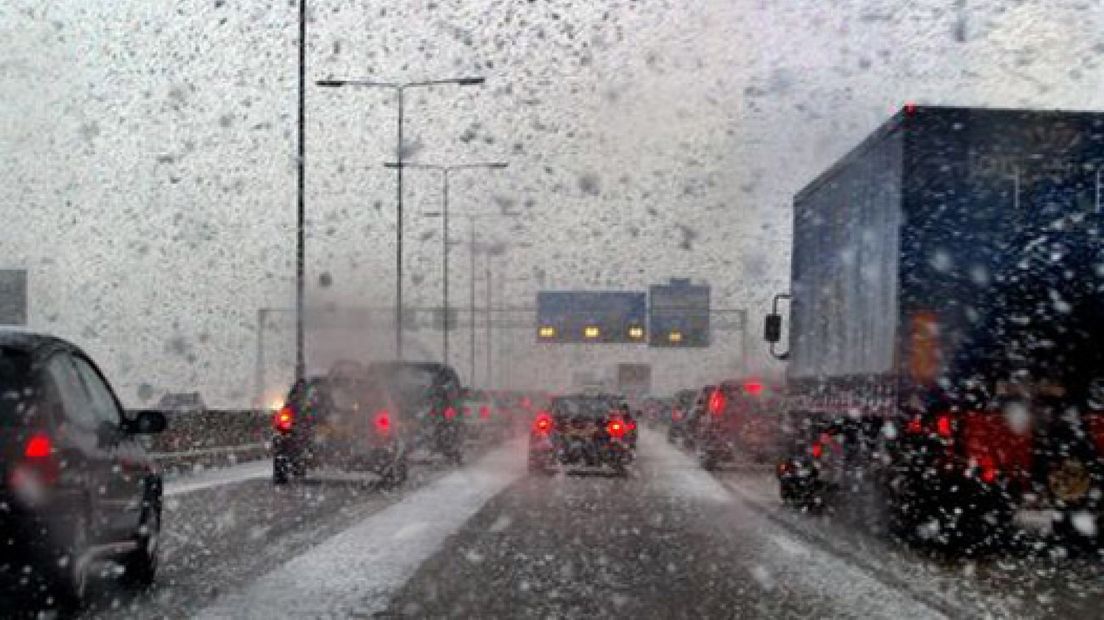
(845, 266)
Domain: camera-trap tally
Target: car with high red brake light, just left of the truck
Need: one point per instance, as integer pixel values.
(741, 421)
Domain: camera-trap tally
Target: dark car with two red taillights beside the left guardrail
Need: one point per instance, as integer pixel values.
(347, 421)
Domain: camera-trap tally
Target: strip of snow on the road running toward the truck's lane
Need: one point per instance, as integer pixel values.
(844, 587)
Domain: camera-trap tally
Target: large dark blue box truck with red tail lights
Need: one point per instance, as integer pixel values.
(947, 334)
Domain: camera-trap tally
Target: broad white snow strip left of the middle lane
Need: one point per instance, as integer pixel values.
(357, 572)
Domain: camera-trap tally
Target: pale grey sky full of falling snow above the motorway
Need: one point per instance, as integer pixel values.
(148, 151)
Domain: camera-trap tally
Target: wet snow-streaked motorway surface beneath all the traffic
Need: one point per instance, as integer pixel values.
(492, 541)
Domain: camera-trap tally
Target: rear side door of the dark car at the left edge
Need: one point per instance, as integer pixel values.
(84, 447)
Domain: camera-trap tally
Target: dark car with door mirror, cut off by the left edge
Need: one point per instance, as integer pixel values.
(77, 486)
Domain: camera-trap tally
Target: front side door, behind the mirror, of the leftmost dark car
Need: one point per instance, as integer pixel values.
(124, 484)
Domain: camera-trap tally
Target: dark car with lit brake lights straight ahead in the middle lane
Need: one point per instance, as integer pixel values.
(582, 431)
